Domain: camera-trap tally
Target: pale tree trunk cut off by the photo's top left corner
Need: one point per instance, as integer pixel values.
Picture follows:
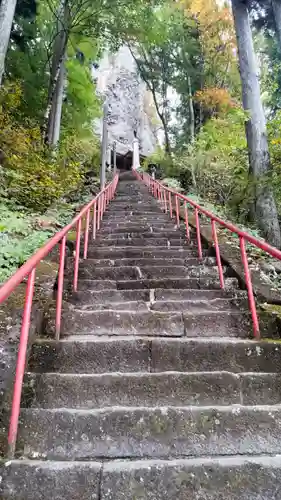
(7, 12)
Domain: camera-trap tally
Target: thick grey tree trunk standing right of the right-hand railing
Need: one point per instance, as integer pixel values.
(260, 168)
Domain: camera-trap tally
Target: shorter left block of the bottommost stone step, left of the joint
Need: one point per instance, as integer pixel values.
(35, 480)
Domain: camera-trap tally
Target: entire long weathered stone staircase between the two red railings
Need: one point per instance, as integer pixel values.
(154, 391)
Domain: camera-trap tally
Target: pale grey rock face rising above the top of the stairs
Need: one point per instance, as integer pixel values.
(130, 104)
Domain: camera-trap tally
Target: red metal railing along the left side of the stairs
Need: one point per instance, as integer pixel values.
(94, 209)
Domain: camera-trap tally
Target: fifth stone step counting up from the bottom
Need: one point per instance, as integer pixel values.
(201, 323)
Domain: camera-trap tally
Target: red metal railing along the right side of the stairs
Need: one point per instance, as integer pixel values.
(162, 193)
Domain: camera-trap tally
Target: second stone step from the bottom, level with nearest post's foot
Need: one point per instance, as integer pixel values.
(158, 432)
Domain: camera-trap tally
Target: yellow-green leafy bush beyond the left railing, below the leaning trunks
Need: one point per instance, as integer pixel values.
(30, 175)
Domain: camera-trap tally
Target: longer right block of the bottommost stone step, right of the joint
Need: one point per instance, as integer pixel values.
(221, 478)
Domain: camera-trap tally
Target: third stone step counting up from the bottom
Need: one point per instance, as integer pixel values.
(87, 391)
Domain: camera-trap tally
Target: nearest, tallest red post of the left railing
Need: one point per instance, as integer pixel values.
(21, 361)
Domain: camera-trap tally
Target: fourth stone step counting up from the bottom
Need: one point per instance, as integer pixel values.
(135, 354)
